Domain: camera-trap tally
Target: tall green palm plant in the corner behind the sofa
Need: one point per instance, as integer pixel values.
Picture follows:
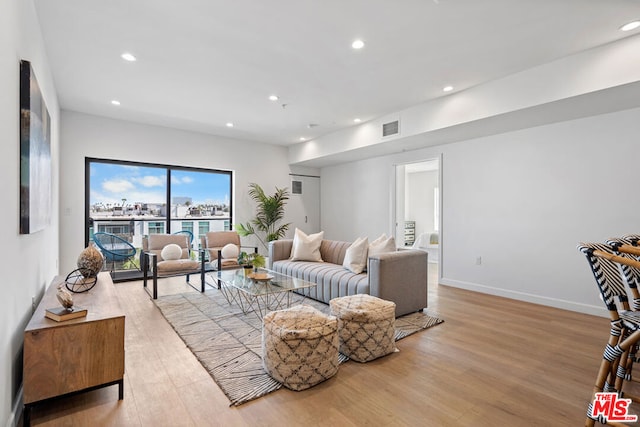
(269, 212)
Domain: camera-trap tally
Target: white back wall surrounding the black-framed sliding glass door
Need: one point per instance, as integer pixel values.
(85, 135)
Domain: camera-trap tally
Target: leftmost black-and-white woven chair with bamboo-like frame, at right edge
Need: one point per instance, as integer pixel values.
(625, 323)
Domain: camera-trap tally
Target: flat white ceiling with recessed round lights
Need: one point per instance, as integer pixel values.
(203, 63)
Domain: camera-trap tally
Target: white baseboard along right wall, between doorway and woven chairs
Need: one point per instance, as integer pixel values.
(523, 296)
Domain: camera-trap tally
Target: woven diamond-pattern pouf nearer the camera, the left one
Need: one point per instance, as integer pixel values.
(300, 346)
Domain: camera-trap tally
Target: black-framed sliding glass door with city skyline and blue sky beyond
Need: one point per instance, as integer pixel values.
(133, 200)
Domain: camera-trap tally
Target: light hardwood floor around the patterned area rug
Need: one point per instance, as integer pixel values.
(494, 362)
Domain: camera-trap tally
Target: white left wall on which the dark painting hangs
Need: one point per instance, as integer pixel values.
(28, 261)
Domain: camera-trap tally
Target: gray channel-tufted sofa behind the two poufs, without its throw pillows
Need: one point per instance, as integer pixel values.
(399, 276)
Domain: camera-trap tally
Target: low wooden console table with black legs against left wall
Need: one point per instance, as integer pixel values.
(82, 354)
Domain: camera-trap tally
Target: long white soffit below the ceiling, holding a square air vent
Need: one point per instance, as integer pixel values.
(595, 81)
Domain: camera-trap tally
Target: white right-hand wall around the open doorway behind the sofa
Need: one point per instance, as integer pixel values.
(521, 200)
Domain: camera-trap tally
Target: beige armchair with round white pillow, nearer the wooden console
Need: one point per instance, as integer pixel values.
(167, 255)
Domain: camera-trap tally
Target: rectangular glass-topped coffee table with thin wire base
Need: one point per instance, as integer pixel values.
(259, 292)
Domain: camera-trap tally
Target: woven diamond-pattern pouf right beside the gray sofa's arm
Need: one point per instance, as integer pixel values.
(366, 326)
